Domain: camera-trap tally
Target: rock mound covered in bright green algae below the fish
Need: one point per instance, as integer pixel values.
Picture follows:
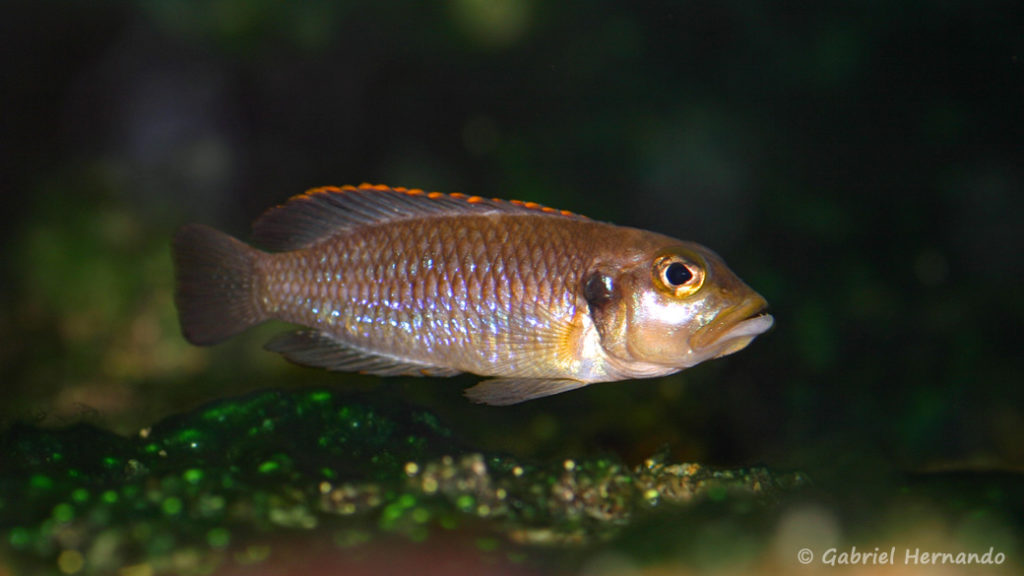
(223, 476)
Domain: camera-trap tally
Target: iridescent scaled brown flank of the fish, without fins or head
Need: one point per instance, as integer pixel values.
(375, 301)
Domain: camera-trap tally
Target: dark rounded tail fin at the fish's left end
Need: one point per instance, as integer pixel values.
(216, 284)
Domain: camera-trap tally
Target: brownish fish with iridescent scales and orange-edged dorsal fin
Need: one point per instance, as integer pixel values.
(402, 282)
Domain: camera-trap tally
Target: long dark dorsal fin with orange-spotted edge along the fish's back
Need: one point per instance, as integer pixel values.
(322, 213)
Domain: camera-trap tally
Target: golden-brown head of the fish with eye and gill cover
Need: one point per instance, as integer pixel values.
(674, 308)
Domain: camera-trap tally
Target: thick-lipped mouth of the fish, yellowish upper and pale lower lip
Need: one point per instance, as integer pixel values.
(734, 328)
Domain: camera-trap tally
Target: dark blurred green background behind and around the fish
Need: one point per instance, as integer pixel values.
(860, 164)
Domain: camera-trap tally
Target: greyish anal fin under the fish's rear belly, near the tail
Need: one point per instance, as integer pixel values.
(312, 348)
